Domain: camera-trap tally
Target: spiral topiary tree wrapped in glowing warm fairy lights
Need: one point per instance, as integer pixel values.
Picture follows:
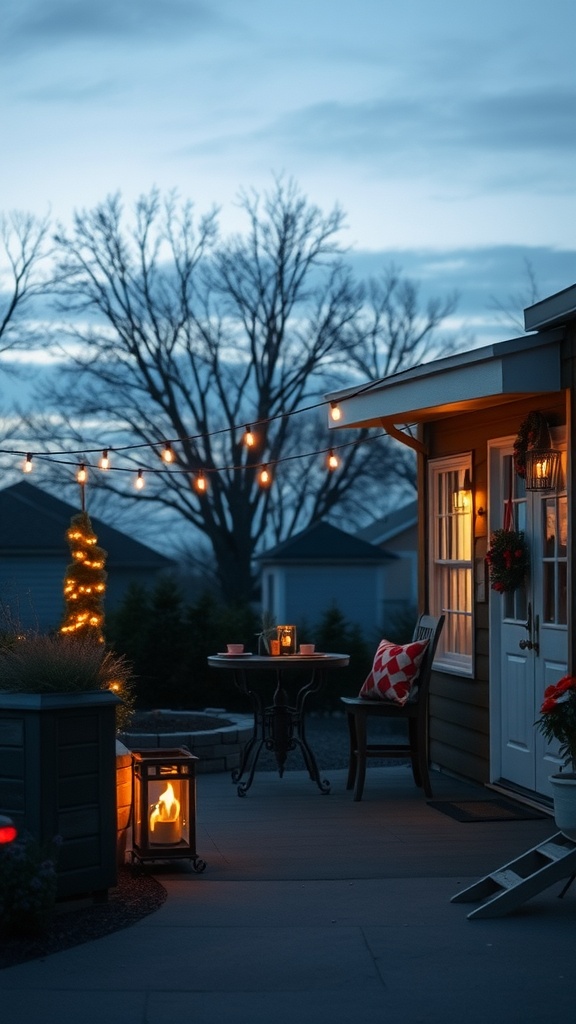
(85, 584)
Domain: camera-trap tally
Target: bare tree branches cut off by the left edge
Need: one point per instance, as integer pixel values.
(23, 248)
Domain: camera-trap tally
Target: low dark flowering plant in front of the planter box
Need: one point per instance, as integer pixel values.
(28, 885)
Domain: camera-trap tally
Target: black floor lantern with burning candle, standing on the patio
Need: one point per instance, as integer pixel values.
(164, 815)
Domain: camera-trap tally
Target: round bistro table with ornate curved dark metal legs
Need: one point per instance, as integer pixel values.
(279, 727)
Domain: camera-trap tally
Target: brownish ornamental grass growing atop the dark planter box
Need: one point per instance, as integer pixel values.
(38, 663)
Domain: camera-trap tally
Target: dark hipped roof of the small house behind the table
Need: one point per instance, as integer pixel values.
(324, 543)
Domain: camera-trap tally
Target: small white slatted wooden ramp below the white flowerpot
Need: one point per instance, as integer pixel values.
(518, 881)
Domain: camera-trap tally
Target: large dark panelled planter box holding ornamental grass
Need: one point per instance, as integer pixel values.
(58, 778)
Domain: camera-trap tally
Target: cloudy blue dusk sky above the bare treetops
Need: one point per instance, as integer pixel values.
(446, 131)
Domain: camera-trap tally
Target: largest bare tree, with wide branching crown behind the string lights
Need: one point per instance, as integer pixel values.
(180, 337)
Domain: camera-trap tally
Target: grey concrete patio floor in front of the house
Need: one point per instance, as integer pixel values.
(318, 909)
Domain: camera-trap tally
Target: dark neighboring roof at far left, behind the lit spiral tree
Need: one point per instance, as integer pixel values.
(33, 523)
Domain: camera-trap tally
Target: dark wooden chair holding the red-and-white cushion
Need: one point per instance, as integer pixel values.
(415, 712)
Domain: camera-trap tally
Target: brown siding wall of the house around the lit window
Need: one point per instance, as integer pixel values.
(460, 728)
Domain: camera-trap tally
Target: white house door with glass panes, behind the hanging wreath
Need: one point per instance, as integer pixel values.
(528, 629)
